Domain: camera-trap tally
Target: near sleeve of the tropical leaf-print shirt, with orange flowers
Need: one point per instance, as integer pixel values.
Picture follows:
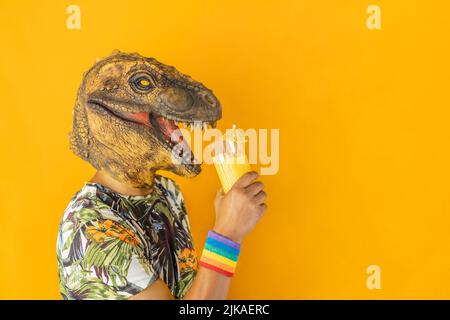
(100, 257)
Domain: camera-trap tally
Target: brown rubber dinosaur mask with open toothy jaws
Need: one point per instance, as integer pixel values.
(127, 109)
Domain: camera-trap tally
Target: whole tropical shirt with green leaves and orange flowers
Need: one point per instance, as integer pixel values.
(112, 246)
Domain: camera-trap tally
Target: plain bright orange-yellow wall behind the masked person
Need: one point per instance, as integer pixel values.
(364, 135)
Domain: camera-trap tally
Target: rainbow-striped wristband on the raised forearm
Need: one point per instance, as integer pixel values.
(220, 254)
